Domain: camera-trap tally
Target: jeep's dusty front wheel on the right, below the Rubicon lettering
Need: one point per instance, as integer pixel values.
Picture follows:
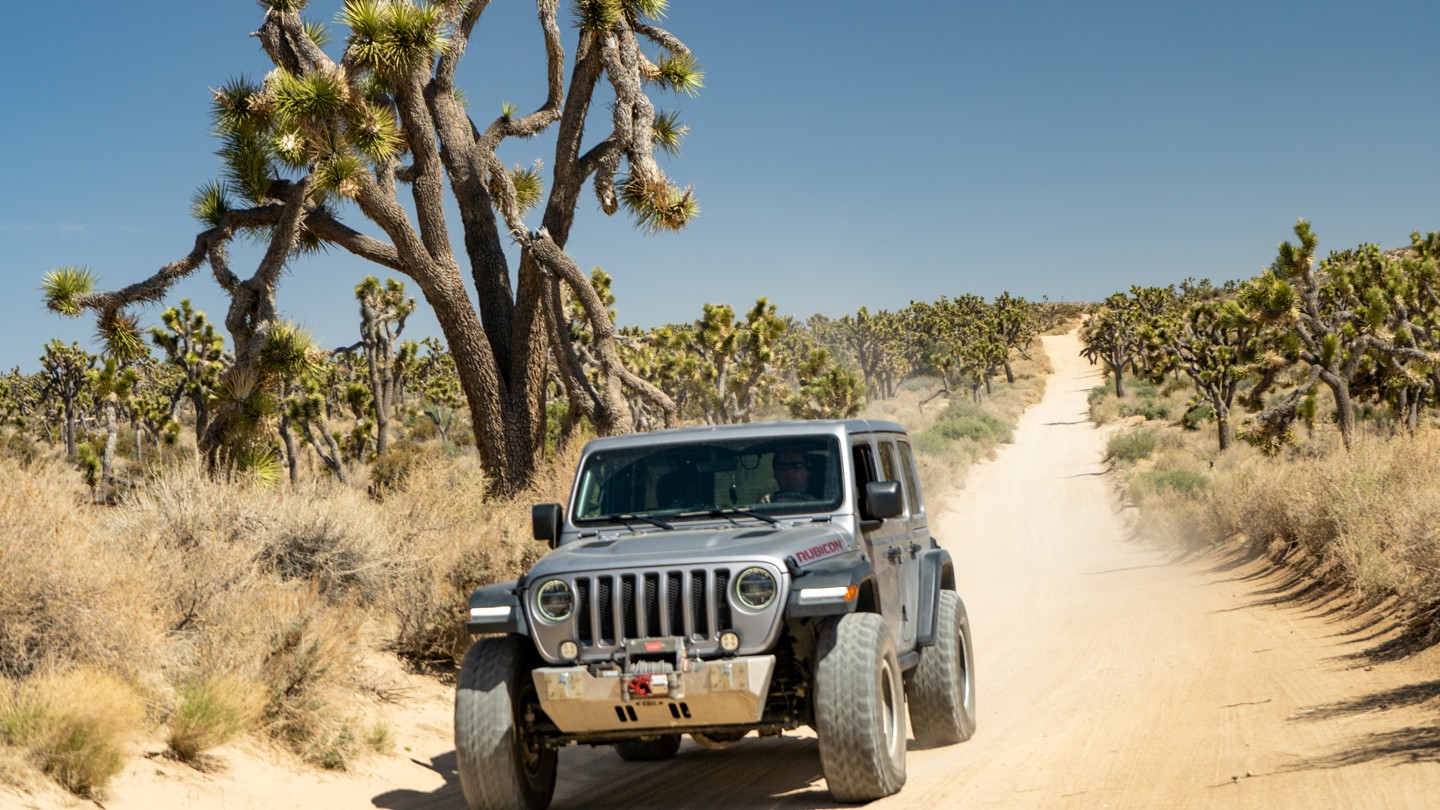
(860, 708)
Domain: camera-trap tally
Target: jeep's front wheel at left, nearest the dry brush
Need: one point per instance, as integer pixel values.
(498, 766)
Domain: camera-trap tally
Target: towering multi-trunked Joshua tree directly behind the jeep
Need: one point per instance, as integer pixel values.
(319, 133)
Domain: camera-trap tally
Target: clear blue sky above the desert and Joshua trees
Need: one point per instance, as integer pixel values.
(843, 153)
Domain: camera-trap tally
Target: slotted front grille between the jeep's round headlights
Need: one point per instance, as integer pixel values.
(652, 605)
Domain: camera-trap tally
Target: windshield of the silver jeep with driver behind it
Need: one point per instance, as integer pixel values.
(768, 476)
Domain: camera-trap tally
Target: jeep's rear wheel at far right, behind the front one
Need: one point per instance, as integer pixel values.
(942, 687)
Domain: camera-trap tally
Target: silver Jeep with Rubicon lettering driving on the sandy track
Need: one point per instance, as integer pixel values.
(716, 582)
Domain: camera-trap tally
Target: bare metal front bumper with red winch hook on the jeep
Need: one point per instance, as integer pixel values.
(706, 694)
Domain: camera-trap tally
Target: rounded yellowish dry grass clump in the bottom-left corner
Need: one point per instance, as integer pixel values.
(74, 727)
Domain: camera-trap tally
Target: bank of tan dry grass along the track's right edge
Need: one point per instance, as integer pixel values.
(1367, 520)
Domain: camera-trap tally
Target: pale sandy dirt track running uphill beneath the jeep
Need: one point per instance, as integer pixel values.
(1110, 677)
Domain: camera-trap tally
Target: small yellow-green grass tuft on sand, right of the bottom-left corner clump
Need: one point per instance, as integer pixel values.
(211, 711)
